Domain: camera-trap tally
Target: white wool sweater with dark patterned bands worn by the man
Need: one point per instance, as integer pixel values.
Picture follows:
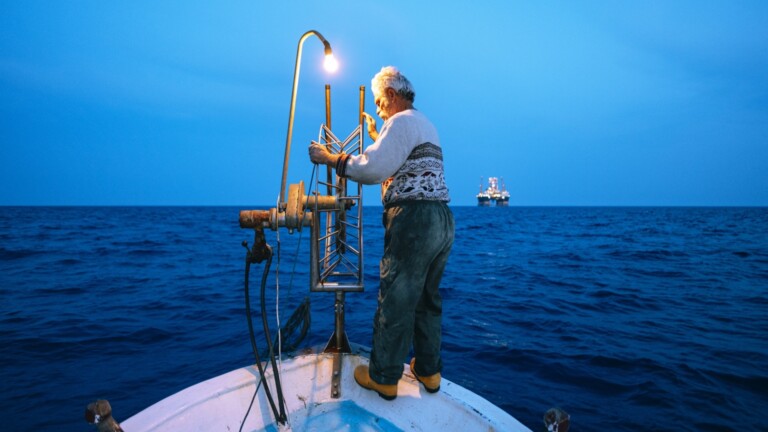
(406, 159)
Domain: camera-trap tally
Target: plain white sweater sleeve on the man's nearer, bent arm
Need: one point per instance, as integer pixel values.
(385, 156)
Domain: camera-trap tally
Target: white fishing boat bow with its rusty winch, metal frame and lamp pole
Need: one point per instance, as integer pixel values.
(313, 389)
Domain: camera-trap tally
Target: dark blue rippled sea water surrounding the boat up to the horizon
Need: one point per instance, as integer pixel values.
(628, 318)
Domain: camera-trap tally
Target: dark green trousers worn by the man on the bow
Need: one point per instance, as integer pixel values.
(417, 241)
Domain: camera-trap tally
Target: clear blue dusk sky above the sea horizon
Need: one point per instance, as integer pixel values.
(572, 103)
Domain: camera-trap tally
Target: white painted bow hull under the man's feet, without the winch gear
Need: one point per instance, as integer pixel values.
(221, 404)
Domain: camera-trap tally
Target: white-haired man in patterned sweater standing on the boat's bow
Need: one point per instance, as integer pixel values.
(406, 158)
